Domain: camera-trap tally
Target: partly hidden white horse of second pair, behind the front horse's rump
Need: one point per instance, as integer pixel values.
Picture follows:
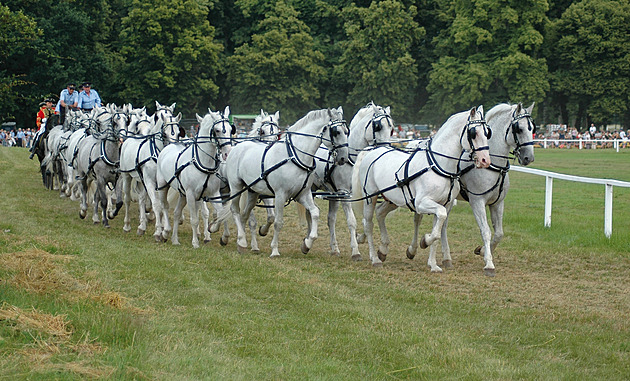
(372, 125)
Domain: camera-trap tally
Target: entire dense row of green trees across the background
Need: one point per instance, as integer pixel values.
(425, 58)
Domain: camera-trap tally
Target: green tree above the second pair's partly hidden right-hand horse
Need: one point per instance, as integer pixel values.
(376, 62)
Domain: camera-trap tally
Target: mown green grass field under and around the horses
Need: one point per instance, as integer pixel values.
(82, 302)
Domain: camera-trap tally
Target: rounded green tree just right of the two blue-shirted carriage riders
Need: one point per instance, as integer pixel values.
(169, 54)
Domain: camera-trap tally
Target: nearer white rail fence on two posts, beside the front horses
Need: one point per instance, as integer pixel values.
(549, 176)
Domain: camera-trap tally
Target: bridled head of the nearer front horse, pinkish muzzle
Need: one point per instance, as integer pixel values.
(477, 134)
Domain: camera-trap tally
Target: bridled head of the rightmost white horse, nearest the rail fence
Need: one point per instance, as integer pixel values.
(523, 130)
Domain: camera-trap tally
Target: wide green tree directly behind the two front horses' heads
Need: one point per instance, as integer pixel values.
(489, 53)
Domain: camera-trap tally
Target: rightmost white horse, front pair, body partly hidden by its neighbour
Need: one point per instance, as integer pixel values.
(512, 129)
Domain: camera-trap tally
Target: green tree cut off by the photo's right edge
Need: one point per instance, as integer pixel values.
(592, 56)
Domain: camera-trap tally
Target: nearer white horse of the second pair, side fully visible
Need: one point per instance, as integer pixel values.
(283, 170)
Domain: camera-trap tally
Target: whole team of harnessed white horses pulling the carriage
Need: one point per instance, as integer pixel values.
(120, 148)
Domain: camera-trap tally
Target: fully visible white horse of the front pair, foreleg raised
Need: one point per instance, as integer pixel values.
(425, 181)
